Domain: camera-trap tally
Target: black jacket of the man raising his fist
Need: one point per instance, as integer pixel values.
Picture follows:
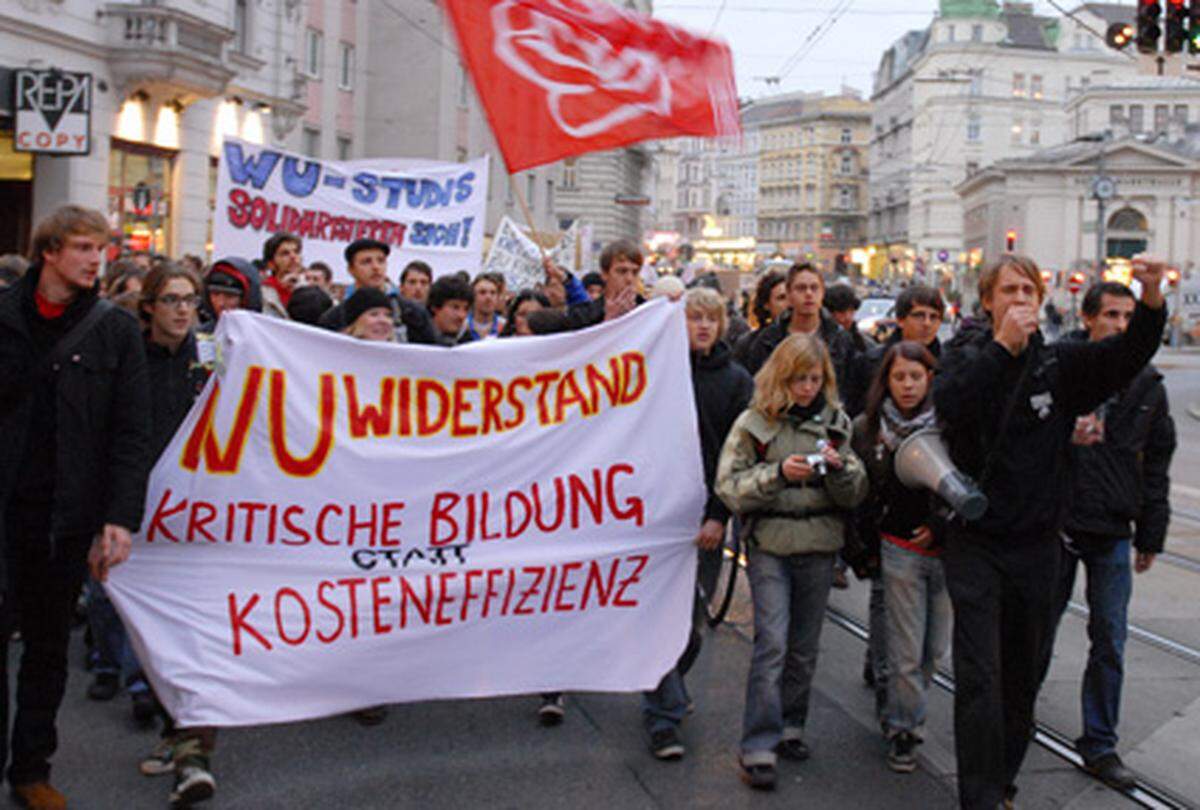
(1049, 387)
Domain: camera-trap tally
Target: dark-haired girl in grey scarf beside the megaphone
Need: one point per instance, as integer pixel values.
(903, 530)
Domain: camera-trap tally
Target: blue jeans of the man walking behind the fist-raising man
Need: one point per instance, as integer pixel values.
(1109, 587)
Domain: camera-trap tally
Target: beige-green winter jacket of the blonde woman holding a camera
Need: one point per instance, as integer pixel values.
(790, 519)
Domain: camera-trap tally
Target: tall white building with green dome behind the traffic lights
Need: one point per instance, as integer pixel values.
(983, 83)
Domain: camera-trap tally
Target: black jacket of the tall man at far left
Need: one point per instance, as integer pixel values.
(101, 431)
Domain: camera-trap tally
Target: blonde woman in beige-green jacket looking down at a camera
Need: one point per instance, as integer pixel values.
(789, 471)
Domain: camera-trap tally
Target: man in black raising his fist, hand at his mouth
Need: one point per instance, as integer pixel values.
(1009, 404)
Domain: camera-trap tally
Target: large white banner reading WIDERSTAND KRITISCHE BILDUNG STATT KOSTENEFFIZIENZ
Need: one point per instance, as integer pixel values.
(341, 524)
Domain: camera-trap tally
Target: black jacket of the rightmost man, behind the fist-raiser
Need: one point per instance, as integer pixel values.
(1125, 481)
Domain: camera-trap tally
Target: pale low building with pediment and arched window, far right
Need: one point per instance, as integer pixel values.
(1047, 202)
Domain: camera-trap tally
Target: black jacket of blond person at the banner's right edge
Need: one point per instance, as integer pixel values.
(723, 391)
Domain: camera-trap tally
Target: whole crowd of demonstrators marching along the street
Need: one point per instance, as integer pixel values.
(800, 422)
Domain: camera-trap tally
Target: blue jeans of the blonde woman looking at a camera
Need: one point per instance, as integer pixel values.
(790, 596)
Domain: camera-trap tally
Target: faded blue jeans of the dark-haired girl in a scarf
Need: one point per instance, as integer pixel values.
(919, 638)
